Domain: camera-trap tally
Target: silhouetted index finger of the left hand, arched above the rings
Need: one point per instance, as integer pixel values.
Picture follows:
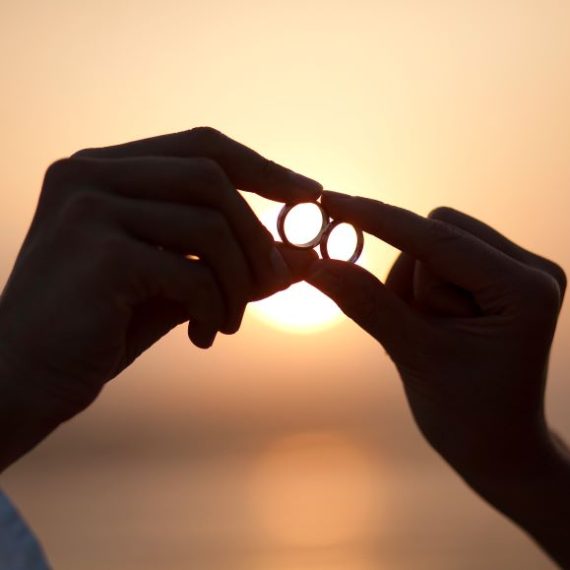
(246, 169)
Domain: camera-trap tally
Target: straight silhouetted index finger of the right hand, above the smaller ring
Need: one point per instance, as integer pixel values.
(451, 253)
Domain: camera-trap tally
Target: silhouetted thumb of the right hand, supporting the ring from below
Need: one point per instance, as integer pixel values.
(365, 299)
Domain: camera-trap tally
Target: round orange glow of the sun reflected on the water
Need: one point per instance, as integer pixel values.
(313, 490)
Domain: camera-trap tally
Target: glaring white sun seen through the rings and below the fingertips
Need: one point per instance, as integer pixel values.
(301, 308)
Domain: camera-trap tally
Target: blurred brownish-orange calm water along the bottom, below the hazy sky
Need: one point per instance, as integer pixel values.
(318, 500)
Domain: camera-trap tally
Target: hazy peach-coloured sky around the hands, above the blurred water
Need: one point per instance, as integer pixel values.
(421, 104)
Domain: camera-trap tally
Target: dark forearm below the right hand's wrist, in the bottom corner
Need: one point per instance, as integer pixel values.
(536, 496)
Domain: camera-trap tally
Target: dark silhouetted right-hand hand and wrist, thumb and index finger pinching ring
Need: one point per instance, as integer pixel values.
(468, 318)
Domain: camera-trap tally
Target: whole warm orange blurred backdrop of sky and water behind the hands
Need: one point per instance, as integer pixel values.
(276, 451)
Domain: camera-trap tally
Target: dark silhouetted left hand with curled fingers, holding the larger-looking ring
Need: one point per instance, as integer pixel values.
(128, 242)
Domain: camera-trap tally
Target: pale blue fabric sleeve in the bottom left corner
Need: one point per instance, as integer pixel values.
(19, 549)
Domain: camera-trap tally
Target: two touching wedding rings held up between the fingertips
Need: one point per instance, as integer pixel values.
(320, 234)
